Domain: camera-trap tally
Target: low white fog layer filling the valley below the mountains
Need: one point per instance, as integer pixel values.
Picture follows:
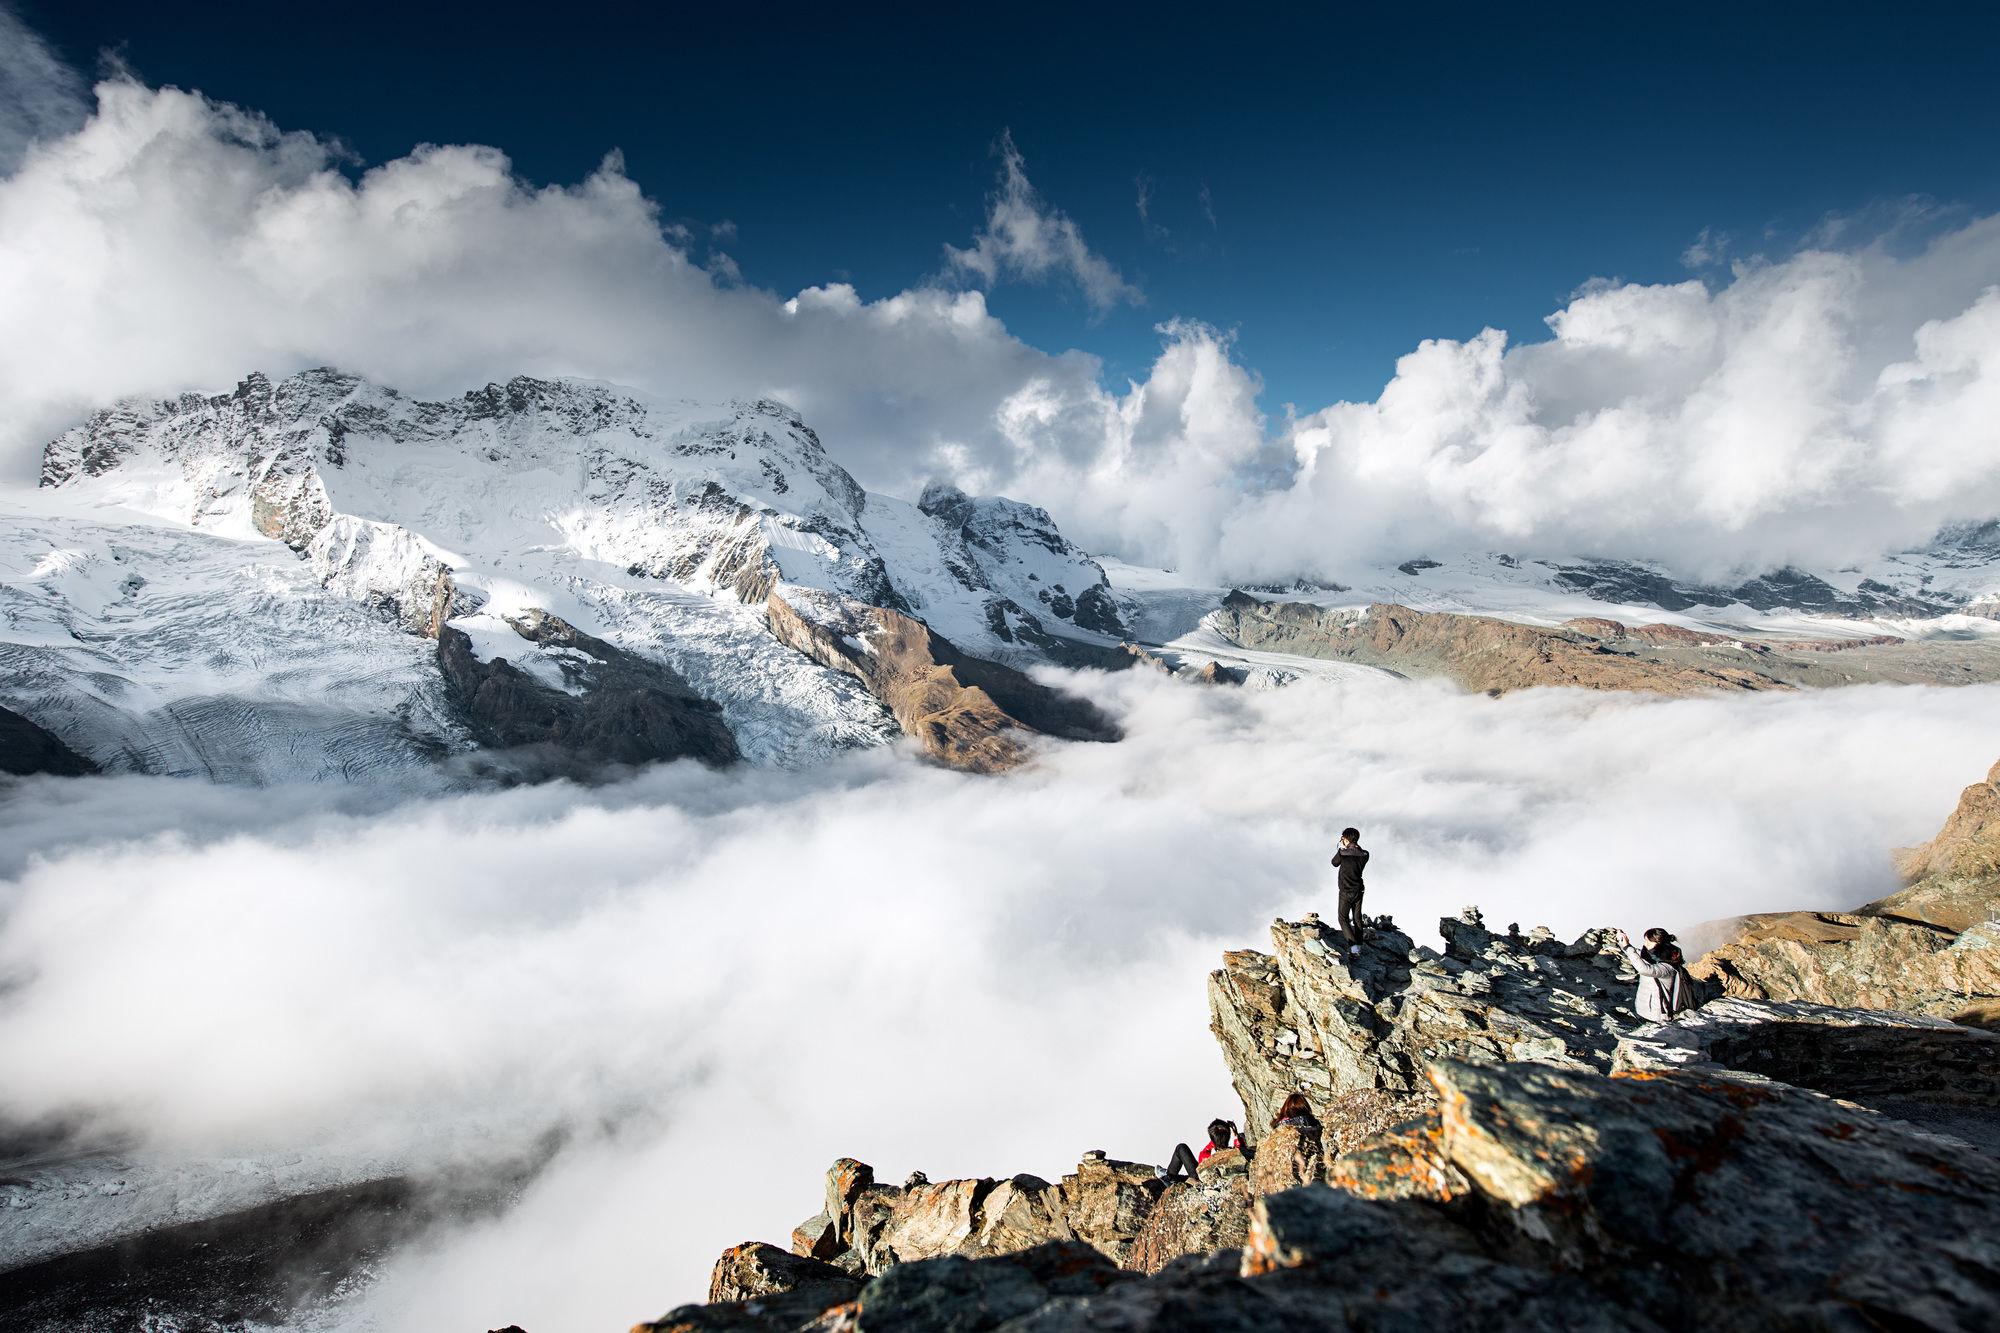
(721, 984)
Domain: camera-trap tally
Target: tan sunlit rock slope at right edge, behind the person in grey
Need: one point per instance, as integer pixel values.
(1933, 948)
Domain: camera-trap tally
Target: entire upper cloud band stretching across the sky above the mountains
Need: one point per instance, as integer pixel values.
(1823, 405)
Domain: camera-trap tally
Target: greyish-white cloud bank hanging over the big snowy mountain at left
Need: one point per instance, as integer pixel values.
(179, 243)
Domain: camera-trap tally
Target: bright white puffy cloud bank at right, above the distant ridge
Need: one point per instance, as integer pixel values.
(1817, 411)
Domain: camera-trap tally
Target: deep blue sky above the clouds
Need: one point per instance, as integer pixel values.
(1333, 189)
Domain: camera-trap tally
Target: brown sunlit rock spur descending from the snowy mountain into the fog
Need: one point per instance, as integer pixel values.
(963, 712)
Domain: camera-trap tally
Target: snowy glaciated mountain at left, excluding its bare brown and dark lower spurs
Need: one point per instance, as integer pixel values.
(245, 585)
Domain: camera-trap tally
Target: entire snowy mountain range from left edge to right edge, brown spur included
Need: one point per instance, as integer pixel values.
(325, 579)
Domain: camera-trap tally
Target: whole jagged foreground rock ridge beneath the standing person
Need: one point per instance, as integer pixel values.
(1547, 1160)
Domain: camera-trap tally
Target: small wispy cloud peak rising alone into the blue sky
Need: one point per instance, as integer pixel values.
(1027, 239)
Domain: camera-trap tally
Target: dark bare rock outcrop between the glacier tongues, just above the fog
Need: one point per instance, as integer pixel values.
(601, 708)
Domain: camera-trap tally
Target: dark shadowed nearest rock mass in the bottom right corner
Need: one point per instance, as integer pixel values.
(1571, 1200)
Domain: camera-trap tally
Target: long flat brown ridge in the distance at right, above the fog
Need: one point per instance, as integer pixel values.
(1493, 655)
